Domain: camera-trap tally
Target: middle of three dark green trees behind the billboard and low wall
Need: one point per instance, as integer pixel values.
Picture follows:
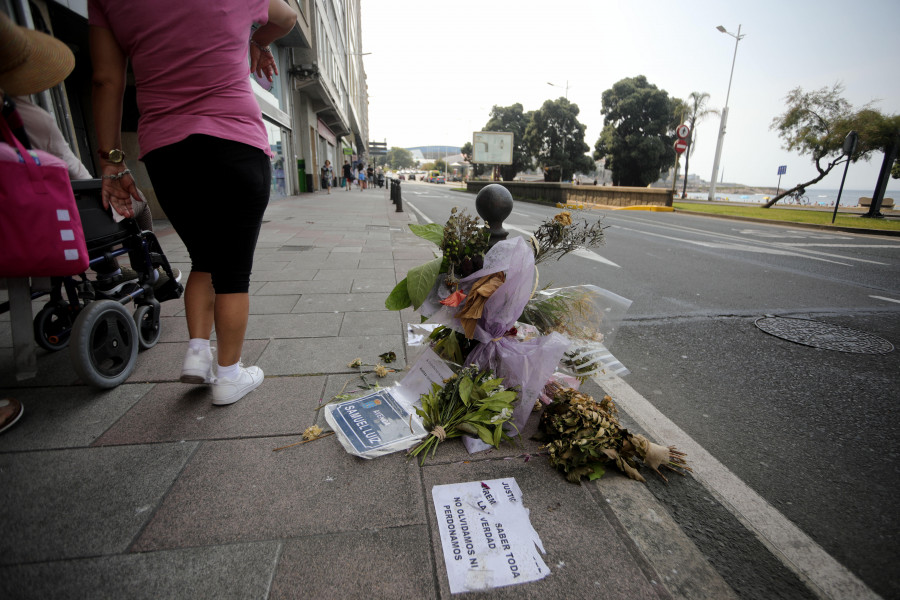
(555, 139)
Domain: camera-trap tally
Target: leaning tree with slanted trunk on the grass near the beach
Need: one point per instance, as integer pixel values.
(815, 123)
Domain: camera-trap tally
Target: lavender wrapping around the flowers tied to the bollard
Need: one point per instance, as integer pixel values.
(525, 365)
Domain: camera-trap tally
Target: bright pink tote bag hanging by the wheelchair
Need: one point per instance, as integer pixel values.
(40, 229)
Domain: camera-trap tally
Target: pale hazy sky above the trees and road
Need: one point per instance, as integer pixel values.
(436, 68)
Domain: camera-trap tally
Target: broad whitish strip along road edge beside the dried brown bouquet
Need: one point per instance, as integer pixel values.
(785, 539)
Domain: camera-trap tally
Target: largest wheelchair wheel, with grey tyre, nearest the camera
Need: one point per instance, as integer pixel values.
(104, 344)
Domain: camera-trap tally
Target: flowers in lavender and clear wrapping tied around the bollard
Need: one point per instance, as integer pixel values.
(475, 295)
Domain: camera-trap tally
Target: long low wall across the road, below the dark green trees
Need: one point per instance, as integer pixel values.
(563, 193)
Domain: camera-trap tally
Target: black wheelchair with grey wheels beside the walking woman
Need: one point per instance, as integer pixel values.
(102, 335)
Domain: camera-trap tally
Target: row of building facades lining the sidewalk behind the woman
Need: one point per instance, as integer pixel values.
(316, 109)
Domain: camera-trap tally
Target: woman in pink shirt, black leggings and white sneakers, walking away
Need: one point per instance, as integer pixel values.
(203, 141)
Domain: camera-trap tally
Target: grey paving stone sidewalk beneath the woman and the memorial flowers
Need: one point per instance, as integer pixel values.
(150, 491)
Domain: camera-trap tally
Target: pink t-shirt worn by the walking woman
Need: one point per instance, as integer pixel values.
(191, 66)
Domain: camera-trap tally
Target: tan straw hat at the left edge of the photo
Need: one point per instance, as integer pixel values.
(31, 61)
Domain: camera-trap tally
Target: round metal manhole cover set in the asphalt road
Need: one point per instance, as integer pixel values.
(824, 335)
